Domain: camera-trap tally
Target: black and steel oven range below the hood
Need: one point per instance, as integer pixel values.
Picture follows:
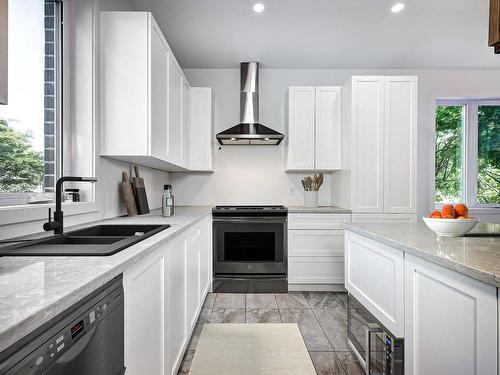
(250, 249)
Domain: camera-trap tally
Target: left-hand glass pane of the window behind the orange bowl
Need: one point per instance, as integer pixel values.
(448, 156)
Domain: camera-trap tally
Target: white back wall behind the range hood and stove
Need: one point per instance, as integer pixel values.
(255, 174)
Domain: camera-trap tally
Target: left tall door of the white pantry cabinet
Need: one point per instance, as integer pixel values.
(367, 144)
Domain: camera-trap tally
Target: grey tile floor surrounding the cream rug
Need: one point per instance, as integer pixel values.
(321, 317)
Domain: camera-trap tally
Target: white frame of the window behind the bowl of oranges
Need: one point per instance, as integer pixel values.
(469, 152)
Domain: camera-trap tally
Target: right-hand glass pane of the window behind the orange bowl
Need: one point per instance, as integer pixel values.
(488, 161)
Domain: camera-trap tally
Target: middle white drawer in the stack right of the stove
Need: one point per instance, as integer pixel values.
(302, 243)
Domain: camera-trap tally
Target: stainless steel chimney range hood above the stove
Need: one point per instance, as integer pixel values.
(249, 131)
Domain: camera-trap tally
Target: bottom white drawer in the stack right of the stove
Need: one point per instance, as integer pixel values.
(316, 270)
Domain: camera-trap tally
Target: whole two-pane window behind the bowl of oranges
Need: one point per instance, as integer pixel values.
(467, 152)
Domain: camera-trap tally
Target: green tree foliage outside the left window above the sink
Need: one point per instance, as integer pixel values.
(21, 167)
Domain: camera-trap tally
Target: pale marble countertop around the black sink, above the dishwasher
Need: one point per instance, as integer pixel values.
(33, 290)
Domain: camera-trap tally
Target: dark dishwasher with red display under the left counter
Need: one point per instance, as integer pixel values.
(85, 339)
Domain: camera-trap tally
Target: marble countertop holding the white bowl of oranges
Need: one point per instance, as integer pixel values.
(474, 256)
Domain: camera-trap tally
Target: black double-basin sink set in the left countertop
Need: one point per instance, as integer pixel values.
(99, 240)
